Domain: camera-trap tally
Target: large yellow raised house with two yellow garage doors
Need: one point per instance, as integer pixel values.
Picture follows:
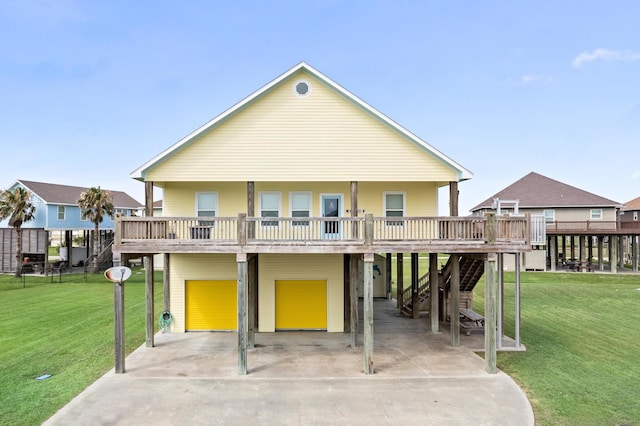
(281, 204)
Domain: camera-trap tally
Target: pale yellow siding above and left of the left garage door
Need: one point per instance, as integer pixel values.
(196, 267)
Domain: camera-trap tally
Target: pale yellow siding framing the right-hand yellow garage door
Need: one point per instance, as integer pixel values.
(325, 267)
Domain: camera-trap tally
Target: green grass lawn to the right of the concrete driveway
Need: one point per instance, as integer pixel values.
(582, 333)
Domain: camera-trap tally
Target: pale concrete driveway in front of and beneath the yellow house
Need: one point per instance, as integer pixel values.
(305, 378)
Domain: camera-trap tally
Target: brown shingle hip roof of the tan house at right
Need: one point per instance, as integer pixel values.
(537, 191)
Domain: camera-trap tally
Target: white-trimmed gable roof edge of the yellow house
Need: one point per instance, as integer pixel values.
(140, 172)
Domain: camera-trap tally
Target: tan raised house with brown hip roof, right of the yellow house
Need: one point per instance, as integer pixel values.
(575, 220)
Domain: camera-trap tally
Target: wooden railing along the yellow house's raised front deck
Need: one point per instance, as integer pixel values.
(357, 230)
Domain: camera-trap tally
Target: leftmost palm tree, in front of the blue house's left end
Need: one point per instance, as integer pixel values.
(15, 204)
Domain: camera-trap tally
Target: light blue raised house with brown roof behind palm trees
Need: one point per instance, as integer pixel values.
(57, 212)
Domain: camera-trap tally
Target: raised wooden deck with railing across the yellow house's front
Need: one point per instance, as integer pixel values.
(368, 234)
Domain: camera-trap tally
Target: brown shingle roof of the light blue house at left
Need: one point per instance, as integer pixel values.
(52, 193)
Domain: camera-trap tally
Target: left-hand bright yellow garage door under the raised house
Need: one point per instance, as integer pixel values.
(211, 305)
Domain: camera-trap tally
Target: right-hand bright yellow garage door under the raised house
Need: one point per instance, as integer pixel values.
(301, 305)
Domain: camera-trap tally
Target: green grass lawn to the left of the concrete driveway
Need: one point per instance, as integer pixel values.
(63, 329)
